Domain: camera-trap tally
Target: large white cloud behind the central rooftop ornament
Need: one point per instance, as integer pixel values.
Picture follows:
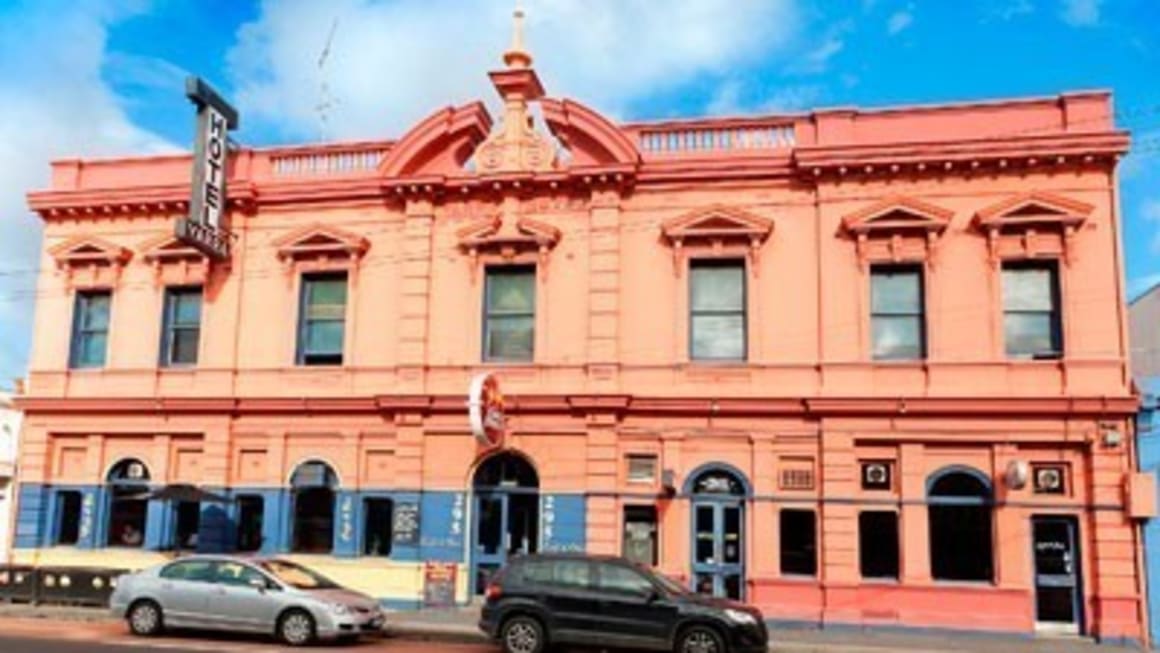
(394, 63)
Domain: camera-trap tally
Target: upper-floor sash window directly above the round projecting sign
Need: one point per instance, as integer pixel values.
(510, 314)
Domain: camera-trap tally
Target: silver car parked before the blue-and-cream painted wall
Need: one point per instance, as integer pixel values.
(264, 596)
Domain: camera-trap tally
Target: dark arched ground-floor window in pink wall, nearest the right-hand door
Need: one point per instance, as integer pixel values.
(960, 513)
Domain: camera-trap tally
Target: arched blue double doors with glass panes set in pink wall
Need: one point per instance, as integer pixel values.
(719, 531)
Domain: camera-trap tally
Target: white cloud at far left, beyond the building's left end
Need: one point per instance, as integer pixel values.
(53, 105)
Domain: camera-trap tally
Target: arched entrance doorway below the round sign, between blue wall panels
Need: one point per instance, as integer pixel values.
(506, 514)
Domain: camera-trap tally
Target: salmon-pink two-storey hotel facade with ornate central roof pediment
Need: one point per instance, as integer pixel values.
(855, 367)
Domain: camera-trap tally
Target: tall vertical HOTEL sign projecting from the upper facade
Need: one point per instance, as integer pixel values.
(204, 228)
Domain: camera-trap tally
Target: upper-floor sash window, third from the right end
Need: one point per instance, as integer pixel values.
(717, 320)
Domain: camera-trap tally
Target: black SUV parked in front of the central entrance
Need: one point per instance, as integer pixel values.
(606, 601)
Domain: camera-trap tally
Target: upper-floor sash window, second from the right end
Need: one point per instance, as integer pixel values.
(897, 320)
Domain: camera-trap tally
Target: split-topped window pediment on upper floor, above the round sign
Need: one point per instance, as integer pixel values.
(509, 241)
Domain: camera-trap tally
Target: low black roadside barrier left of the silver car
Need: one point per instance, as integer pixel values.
(66, 586)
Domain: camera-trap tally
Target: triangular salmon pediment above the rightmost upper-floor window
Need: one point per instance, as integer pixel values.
(1033, 224)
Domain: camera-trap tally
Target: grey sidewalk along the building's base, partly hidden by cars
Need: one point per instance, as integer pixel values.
(460, 626)
